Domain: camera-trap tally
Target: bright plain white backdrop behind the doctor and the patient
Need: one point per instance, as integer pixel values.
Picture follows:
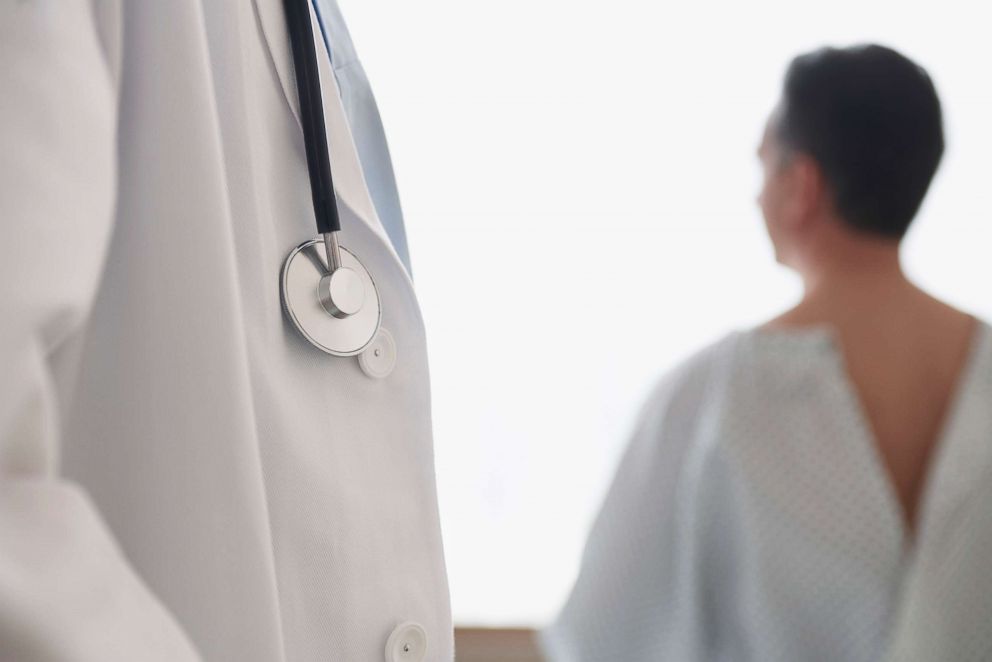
(578, 180)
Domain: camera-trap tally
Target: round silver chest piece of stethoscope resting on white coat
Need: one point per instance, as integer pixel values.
(338, 313)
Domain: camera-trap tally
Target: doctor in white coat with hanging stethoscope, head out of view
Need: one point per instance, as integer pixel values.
(184, 474)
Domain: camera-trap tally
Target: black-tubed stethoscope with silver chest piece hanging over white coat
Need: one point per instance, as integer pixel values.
(326, 291)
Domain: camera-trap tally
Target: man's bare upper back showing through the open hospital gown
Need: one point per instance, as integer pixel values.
(905, 355)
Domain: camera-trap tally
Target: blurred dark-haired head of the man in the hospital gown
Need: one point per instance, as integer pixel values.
(848, 153)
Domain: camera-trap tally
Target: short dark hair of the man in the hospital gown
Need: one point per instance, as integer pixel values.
(871, 119)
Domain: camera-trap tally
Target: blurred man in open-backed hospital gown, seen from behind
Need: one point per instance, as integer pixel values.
(820, 487)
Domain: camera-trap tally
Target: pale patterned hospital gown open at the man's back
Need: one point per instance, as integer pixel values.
(752, 519)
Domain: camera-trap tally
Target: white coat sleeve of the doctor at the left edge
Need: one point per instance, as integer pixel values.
(67, 594)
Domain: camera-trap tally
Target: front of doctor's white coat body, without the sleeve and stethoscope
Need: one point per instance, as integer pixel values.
(277, 500)
